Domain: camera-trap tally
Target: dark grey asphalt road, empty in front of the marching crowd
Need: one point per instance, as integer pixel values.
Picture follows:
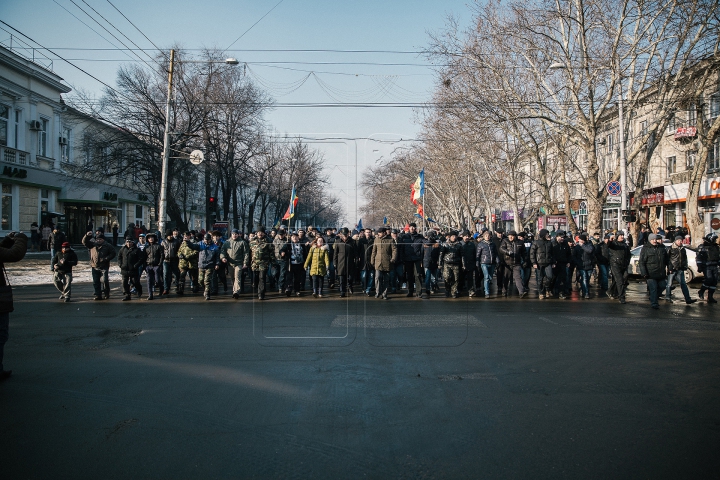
(359, 388)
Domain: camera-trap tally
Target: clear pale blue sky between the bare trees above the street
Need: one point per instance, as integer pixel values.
(351, 139)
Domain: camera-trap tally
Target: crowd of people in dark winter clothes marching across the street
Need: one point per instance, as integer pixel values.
(384, 262)
